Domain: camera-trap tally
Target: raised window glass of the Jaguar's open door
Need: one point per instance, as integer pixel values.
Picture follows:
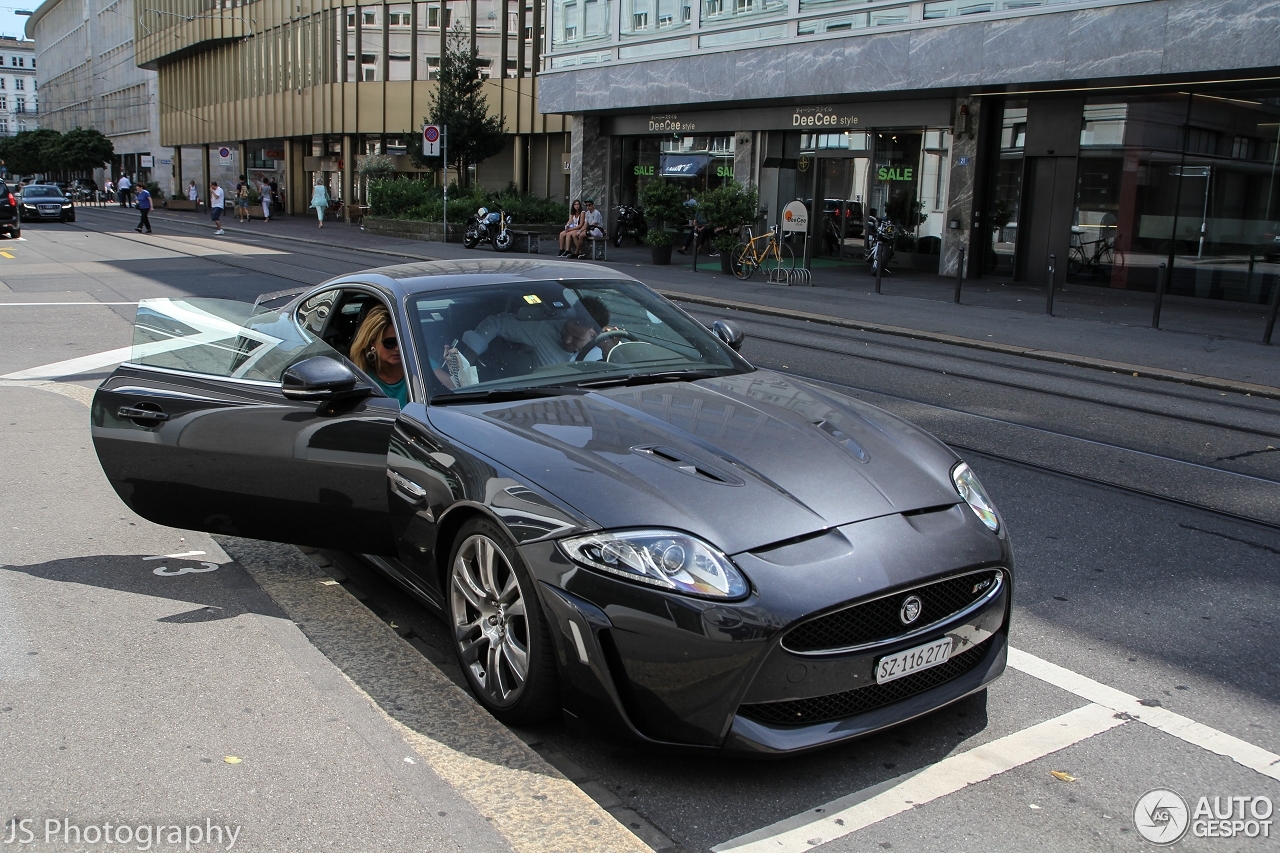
(221, 339)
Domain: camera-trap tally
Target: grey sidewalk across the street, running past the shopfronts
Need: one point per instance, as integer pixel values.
(1090, 327)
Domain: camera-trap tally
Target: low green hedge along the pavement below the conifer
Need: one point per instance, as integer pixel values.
(409, 199)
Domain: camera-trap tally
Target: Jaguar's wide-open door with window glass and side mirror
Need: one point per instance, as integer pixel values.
(234, 419)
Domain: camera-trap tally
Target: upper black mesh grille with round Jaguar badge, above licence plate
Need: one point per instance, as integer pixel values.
(879, 621)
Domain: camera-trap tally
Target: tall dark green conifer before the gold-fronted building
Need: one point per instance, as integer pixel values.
(460, 104)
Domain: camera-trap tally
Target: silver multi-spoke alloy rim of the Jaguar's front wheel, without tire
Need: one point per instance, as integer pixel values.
(491, 624)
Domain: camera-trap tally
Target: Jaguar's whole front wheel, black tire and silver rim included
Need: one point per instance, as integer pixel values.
(500, 633)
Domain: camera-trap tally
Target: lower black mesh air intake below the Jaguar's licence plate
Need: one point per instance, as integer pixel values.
(802, 713)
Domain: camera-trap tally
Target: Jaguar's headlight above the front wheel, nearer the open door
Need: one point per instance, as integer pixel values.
(665, 559)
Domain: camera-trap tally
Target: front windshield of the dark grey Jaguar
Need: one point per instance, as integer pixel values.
(560, 336)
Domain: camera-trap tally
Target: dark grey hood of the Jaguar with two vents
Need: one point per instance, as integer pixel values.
(743, 462)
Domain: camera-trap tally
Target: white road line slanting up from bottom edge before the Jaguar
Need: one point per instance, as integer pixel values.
(848, 815)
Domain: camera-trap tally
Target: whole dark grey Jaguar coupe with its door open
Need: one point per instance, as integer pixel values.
(618, 517)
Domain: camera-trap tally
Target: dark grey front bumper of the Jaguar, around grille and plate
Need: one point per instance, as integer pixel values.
(698, 674)
